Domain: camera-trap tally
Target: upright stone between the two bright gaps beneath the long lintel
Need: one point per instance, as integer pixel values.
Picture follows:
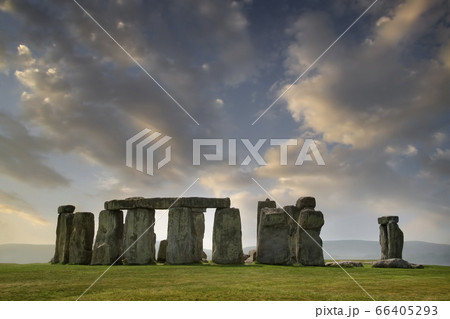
(181, 239)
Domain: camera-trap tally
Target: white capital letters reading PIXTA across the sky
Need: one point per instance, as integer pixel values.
(309, 146)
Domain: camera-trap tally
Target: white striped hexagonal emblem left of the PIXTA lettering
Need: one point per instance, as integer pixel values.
(144, 145)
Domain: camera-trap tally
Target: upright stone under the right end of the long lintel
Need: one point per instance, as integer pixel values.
(227, 237)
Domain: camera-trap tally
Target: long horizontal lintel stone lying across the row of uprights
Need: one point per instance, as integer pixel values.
(168, 202)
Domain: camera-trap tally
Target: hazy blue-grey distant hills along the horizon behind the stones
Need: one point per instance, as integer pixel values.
(414, 251)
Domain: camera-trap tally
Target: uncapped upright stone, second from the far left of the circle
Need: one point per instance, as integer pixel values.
(81, 239)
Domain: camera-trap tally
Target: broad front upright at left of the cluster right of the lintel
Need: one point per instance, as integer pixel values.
(274, 237)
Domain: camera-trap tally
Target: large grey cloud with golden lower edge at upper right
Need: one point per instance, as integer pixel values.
(359, 88)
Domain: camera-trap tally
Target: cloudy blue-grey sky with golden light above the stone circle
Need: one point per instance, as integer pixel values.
(376, 103)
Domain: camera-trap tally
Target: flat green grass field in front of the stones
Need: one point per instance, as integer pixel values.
(214, 282)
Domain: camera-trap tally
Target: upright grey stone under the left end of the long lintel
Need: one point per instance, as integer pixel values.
(109, 239)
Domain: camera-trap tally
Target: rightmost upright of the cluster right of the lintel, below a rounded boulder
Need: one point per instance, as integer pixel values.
(309, 243)
